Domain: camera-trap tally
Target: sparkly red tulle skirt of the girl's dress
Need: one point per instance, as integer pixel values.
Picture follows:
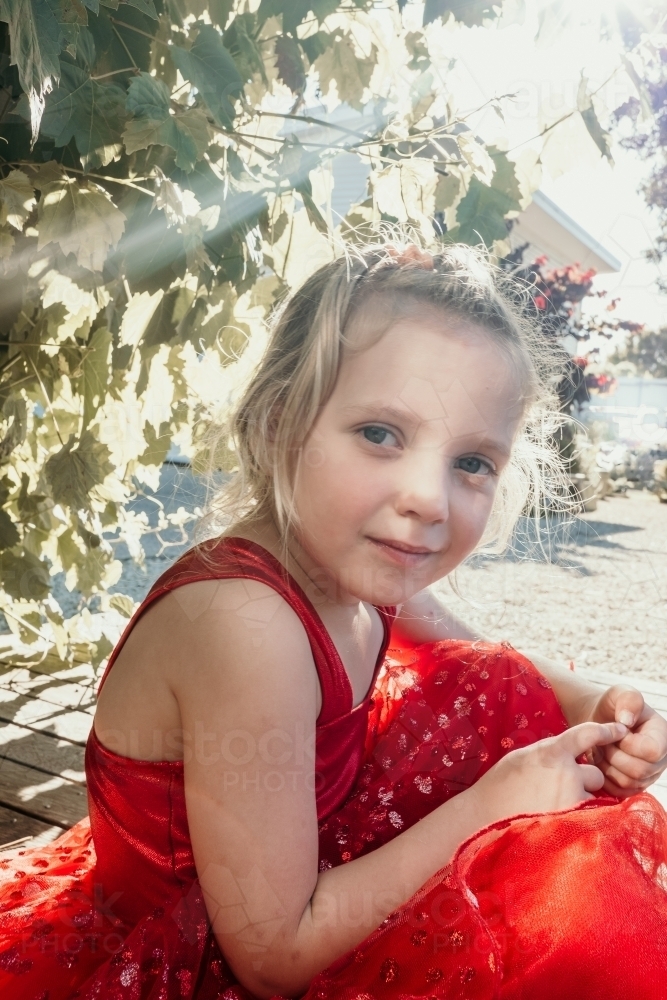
(569, 904)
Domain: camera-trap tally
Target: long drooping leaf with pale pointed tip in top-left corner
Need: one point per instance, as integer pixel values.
(35, 43)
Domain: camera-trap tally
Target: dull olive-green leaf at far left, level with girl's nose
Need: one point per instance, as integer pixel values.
(76, 469)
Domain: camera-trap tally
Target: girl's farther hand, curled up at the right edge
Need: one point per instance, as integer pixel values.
(639, 758)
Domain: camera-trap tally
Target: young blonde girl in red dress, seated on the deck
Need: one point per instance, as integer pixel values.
(280, 805)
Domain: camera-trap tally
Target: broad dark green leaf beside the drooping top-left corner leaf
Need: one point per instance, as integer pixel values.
(91, 113)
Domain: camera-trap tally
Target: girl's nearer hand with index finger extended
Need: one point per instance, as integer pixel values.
(545, 776)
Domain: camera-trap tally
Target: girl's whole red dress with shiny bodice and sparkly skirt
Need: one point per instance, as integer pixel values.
(557, 905)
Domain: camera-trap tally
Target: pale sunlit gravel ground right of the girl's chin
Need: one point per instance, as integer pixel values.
(599, 597)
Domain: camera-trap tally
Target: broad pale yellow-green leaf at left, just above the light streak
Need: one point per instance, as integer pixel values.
(82, 220)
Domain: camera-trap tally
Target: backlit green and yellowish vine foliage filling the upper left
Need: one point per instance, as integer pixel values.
(163, 184)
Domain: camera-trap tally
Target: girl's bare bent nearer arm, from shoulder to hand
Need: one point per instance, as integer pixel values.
(243, 675)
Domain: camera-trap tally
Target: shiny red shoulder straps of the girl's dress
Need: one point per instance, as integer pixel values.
(231, 557)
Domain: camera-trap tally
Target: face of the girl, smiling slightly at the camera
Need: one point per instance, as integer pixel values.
(397, 477)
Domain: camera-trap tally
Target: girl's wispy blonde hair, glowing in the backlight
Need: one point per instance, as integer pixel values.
(366, 291)
